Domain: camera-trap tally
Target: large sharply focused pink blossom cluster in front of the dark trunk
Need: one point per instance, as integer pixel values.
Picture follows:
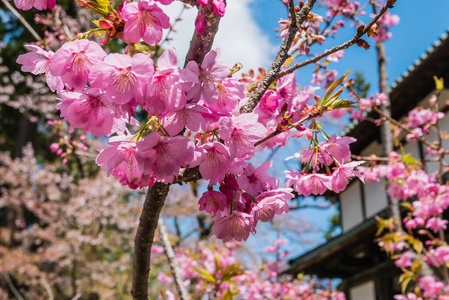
(100, 93)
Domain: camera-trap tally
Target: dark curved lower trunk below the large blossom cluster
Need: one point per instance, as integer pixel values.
(144, 239)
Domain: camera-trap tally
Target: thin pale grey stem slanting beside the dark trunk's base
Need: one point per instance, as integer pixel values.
(172, 261)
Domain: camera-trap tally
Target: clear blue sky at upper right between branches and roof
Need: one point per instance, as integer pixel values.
(422, 22)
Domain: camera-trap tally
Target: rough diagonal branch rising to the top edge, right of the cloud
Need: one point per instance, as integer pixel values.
(281, 58)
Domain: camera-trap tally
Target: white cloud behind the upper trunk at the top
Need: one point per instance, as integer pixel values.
(239, 36)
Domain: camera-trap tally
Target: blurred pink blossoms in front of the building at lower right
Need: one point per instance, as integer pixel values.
(426, 200)
